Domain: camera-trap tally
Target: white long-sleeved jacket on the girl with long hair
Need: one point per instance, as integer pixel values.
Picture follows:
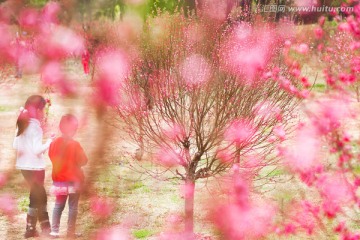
(30, 148)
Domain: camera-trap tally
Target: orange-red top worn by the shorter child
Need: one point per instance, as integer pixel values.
(67, 157)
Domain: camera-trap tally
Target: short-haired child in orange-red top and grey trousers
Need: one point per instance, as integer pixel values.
(67, 157)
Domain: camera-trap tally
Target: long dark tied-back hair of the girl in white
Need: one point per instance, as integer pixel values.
(34, 102)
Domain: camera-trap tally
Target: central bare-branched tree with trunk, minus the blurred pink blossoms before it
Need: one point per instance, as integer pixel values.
(157, 98)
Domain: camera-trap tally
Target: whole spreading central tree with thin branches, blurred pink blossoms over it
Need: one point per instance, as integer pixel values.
(203, 98)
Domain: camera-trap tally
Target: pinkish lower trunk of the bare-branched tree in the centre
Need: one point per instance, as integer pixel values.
(189, 207)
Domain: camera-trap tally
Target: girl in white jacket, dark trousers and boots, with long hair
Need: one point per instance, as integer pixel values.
(30, 149)
